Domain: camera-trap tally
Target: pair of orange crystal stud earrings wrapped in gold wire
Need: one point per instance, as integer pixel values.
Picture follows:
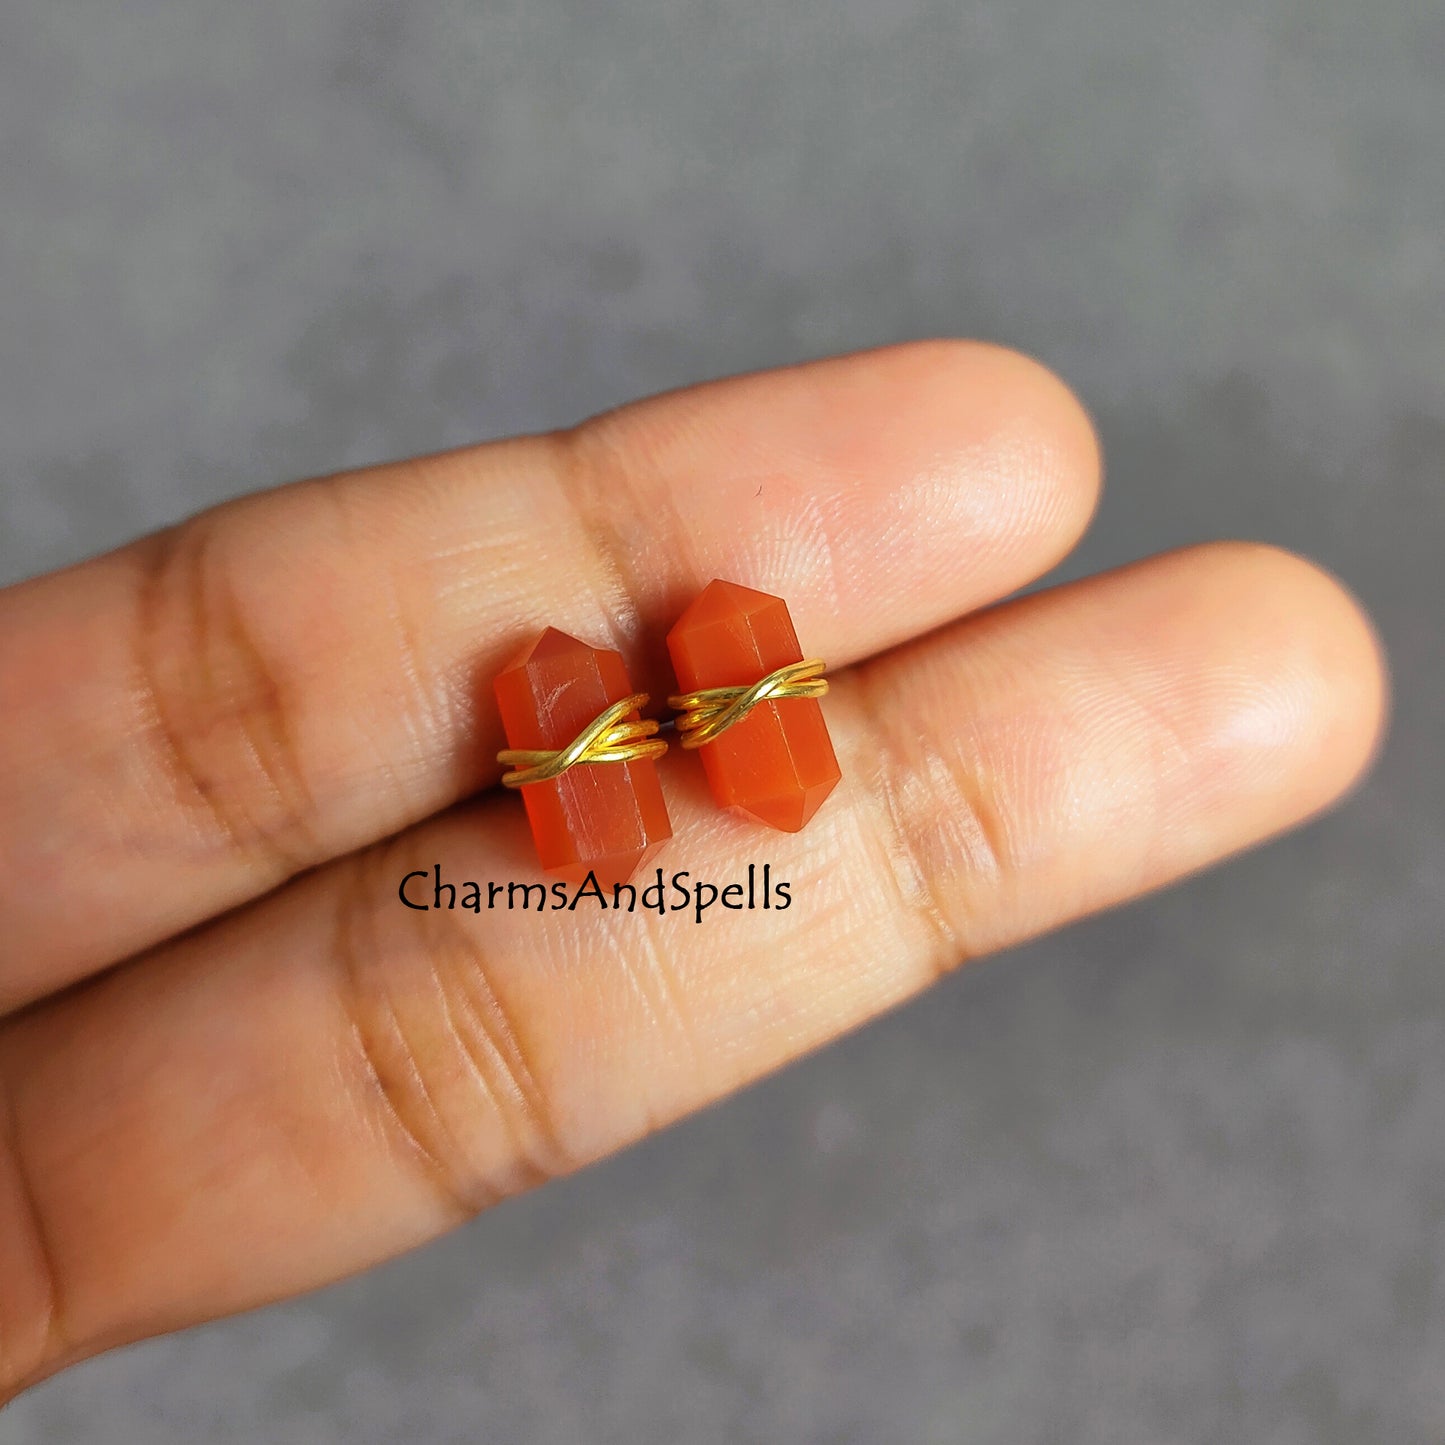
(583, 756)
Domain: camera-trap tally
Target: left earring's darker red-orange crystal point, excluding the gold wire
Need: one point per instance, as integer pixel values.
(606, 819)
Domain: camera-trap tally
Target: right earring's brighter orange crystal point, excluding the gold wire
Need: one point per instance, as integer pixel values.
(778, 762)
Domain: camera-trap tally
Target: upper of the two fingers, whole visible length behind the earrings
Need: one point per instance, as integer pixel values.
(197, 717)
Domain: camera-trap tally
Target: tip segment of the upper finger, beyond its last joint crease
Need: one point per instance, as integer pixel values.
(884, 493)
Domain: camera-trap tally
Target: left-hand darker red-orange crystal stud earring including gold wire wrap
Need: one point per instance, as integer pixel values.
(582, 756)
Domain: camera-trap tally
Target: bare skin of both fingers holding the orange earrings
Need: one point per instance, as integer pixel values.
(233, 1067)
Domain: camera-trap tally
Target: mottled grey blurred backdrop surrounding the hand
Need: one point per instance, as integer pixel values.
(1176, 1176)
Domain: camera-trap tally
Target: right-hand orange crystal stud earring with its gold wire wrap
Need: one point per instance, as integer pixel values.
(751, 706)
